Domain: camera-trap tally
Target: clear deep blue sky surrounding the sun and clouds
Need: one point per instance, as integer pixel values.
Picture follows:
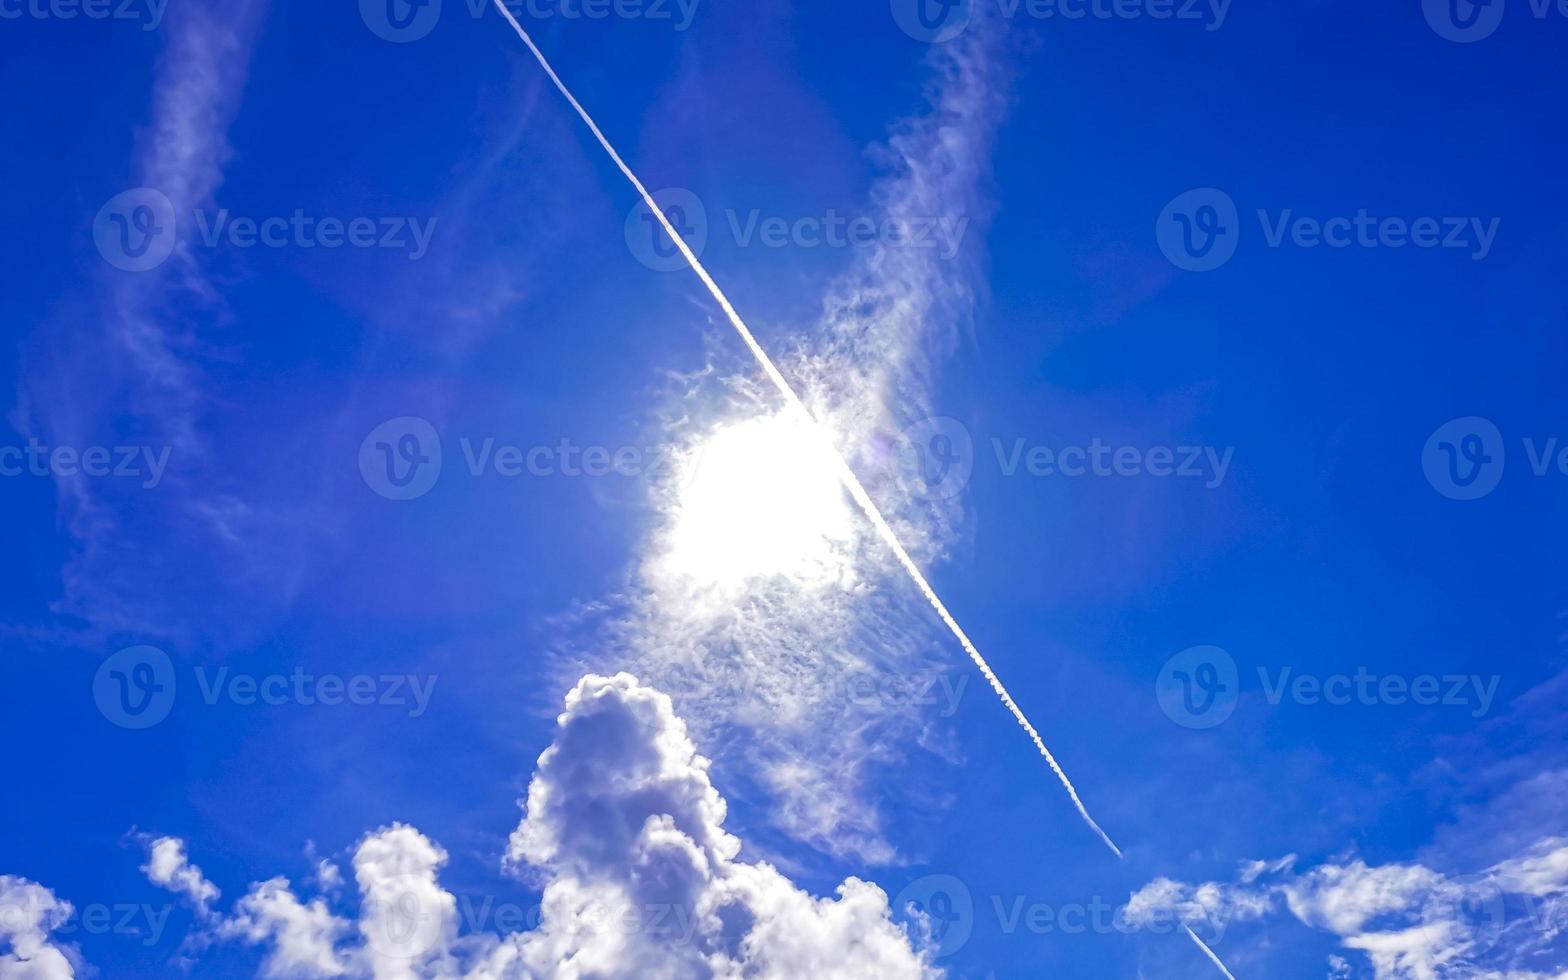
(531, 321)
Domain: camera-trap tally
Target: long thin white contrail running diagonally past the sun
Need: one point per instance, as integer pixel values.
(846, 474)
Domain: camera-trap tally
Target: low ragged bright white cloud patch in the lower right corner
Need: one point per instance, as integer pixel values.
(1407, 921)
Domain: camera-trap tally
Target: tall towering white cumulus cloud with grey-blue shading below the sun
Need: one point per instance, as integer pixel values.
(623, 816)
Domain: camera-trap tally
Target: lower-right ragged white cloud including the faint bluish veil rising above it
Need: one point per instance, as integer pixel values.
(1487, 901)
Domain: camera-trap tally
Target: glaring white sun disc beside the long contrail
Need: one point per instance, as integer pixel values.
(761, 498)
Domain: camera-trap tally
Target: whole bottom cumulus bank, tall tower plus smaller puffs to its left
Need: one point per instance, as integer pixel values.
(625, 832)
